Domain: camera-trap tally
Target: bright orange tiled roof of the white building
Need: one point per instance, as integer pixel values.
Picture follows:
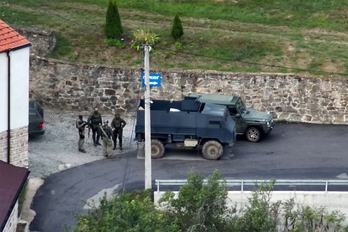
(9, 38)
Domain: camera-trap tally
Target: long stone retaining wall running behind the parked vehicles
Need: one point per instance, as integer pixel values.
(61, 85)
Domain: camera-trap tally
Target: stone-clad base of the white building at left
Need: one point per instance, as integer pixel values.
(19, 147)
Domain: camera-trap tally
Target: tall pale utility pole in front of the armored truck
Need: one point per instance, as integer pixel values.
(148, 178)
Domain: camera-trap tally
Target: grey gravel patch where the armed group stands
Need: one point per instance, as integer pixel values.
(57, 149)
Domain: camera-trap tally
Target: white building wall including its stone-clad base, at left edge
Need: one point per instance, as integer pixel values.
(19, 106)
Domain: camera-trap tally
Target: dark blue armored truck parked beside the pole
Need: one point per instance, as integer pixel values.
(187, 124)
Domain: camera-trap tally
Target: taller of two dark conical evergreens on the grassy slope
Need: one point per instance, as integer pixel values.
(113, 27)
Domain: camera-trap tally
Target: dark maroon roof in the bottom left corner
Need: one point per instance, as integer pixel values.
(12, 179)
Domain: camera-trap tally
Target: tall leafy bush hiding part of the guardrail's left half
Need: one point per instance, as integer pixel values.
(199, 206)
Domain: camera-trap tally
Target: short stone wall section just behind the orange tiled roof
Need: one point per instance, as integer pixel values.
(43, 41)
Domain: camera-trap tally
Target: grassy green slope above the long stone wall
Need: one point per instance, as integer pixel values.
(251, 35)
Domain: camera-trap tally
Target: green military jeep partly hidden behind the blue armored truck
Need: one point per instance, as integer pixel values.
(251, 123)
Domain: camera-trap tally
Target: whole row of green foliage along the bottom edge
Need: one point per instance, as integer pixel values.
(202, 205)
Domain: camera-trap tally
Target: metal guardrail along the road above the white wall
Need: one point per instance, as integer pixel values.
(242, 183)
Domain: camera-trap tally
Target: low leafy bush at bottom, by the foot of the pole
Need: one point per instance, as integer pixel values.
(129, 212)
